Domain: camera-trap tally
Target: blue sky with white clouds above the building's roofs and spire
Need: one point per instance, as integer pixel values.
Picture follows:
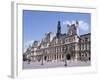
(37, 23)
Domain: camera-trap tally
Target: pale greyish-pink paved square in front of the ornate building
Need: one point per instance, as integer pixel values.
(37, 65)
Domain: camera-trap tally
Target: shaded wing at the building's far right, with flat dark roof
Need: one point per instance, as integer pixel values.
(85, 46)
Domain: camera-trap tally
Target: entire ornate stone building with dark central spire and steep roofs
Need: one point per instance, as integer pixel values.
(61, 46)
